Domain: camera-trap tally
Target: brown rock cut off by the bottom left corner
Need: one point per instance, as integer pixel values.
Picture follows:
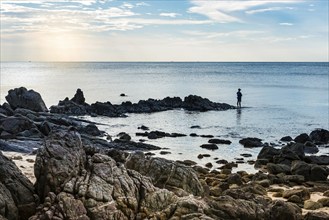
(17, 200)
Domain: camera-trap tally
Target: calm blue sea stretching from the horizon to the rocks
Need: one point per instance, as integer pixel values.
(279, 99)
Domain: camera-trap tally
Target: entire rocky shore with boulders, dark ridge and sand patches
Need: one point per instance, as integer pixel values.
(81, 174)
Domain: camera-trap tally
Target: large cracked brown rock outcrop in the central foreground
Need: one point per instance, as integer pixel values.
(75, 182)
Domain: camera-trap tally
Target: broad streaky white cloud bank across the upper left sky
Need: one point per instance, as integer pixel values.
(53, 18)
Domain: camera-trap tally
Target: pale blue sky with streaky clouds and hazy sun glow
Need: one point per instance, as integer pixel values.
(168, 30)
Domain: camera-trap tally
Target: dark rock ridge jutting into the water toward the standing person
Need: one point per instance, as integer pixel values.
(77, 106)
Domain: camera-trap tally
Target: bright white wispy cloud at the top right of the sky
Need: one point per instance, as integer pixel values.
(220, 11)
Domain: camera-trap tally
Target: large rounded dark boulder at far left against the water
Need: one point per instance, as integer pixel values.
(23, 98)
